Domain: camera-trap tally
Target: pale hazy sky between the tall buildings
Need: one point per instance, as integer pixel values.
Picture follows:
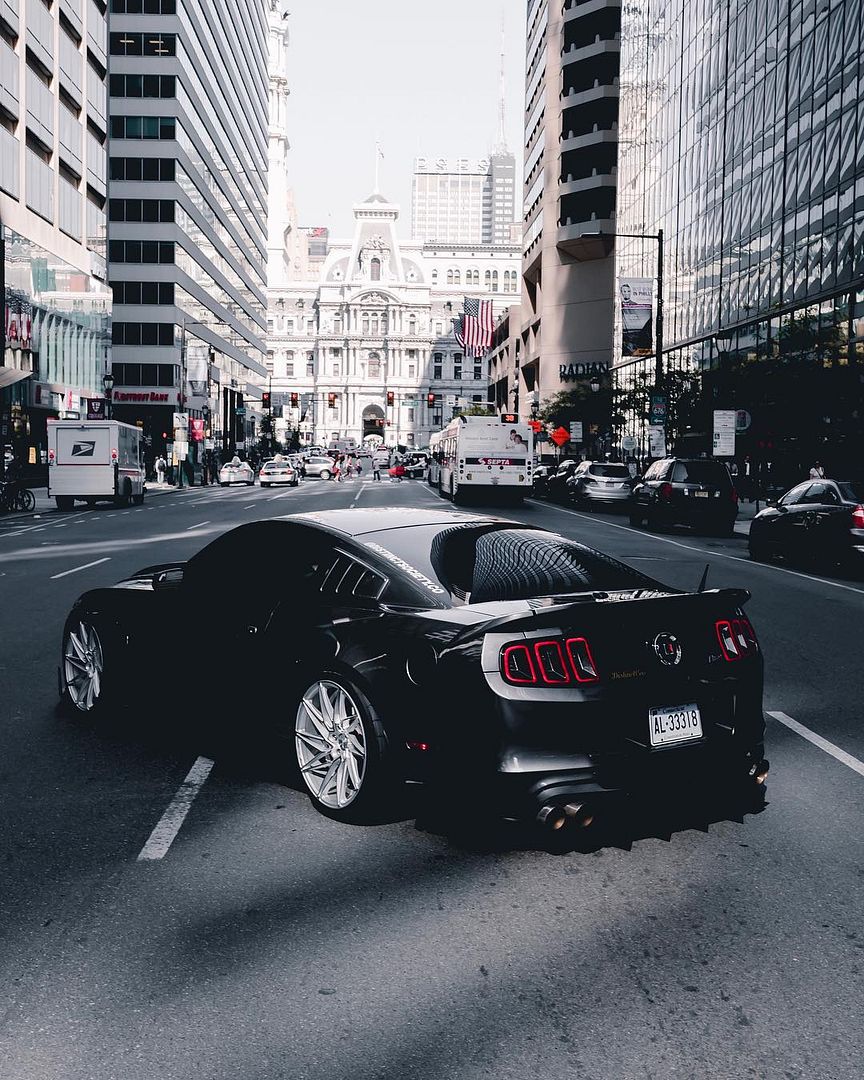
(423, 78)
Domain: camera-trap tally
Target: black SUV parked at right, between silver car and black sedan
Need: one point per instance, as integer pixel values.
(696, 492)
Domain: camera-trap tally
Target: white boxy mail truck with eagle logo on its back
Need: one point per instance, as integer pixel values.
(94, 461)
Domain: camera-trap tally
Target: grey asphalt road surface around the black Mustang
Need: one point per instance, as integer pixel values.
(272, 942)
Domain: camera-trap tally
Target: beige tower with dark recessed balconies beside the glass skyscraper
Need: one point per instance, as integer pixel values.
(571, 157)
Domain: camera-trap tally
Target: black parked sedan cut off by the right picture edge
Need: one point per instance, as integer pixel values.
(819, 521)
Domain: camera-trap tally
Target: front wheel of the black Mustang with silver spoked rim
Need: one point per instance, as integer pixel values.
(85, 684)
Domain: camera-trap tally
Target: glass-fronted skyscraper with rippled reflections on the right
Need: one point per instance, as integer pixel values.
(742, 138)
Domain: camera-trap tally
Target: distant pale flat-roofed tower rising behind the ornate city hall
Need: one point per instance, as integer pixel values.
(464, 200)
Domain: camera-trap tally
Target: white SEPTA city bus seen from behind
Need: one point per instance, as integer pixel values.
(482, 453)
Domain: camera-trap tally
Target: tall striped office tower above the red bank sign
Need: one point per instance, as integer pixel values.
(188, 212)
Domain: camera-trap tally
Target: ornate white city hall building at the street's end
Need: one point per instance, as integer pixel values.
(363, 347)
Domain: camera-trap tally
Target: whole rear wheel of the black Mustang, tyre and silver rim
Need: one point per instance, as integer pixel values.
(342, 750)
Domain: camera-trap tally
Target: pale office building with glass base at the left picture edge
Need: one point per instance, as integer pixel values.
(53, 129)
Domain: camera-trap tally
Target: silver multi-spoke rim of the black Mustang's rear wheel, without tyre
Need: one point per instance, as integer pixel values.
(331, 742)
